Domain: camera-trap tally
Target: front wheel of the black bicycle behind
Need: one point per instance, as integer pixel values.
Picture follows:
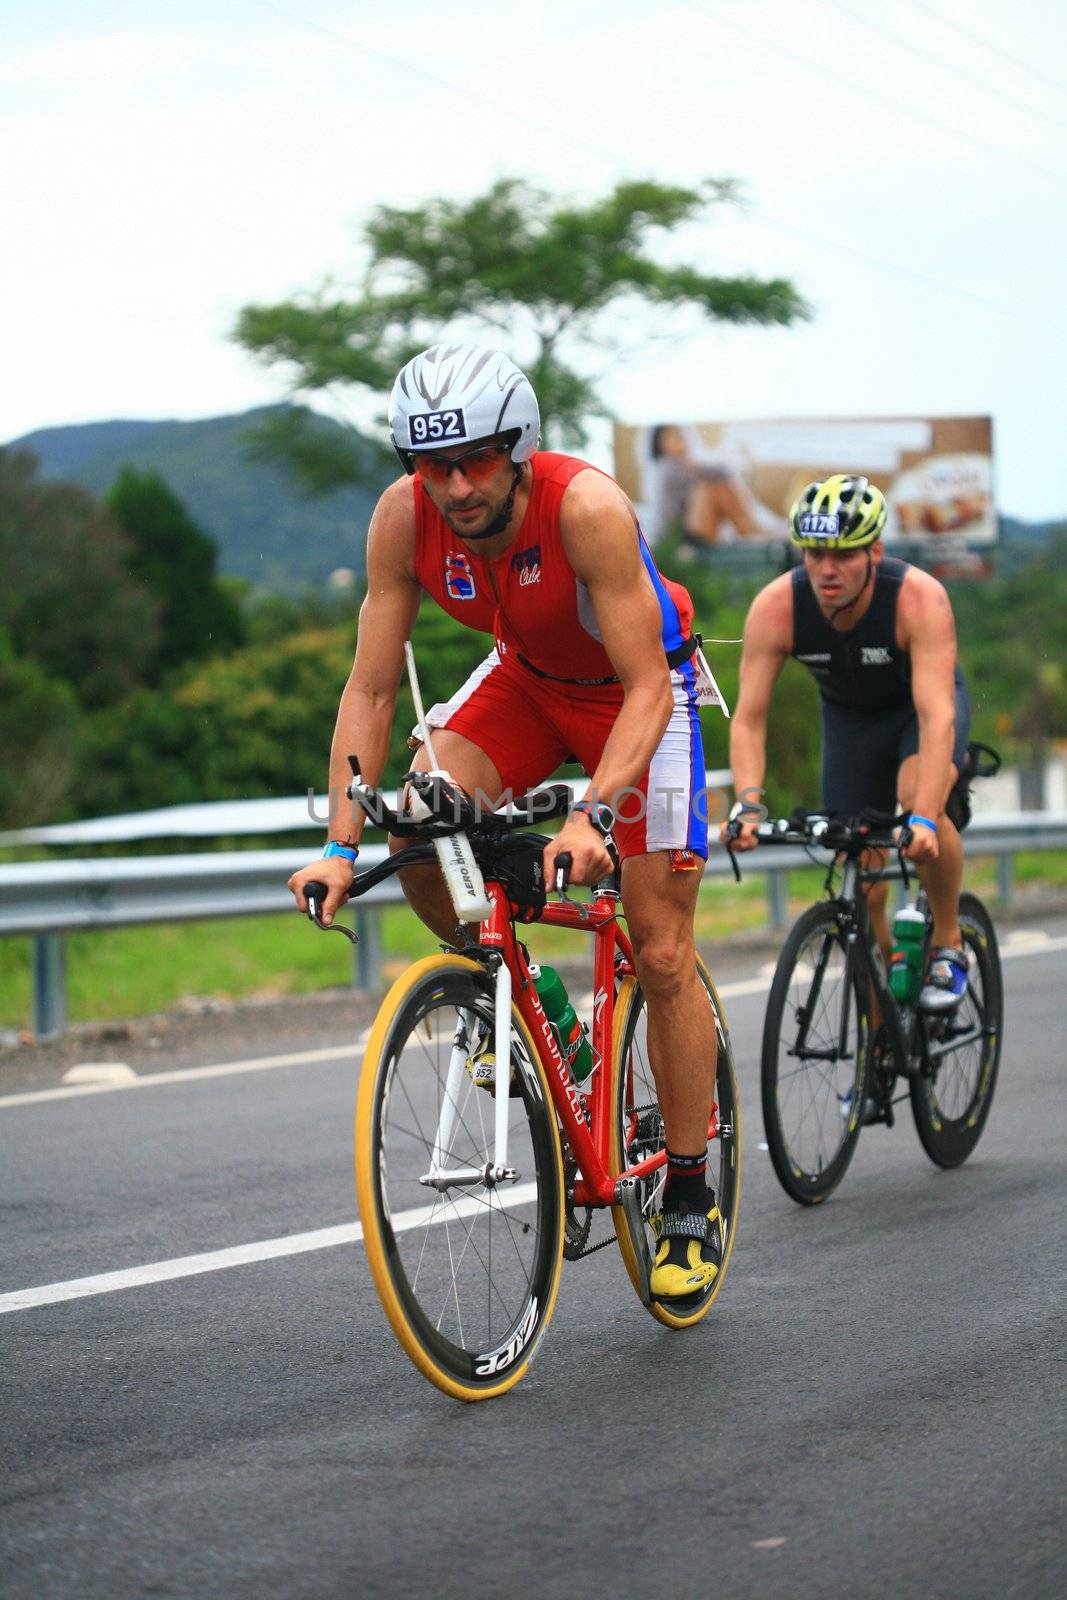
(815, 1058)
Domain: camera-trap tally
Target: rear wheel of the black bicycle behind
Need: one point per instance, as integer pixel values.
(954, 1092)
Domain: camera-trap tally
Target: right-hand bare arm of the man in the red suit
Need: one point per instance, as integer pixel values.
(599, 534)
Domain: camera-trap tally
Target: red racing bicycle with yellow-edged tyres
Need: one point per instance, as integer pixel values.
(470, 1196)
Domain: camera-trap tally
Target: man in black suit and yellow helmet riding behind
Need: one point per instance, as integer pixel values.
(879, 638)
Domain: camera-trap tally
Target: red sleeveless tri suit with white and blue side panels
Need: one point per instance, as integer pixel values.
(548, 690)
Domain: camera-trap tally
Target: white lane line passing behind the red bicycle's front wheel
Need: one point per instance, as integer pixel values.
(242, 1255)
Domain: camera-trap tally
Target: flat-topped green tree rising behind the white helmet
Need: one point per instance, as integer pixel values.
(514, 263)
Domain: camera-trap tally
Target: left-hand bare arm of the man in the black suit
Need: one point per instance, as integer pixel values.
(769, 639)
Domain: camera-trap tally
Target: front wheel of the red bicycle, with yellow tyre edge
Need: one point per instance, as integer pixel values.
(466, 1266)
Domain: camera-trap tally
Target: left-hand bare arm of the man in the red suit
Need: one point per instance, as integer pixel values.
(370, 695)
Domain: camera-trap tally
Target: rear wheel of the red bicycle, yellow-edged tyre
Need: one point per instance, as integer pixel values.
(639, 1132)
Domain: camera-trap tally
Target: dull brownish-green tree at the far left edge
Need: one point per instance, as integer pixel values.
(66, 596)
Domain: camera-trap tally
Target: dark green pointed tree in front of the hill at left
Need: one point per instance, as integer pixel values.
(177, 562)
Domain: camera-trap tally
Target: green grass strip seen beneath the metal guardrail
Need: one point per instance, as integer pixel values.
(129, 972)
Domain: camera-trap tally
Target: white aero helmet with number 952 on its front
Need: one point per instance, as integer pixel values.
(457, 394)
